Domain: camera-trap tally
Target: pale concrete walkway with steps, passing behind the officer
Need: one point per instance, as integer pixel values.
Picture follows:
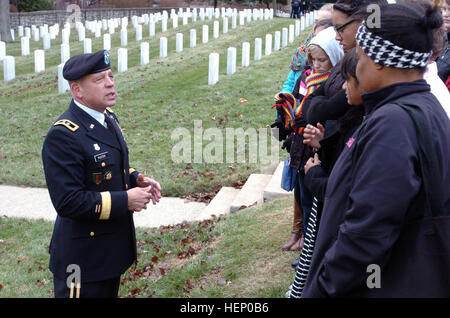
(35, 203)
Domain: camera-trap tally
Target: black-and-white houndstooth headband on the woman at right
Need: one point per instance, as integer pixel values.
(386, 53)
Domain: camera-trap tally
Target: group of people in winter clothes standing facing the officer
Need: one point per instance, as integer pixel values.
(364, 117)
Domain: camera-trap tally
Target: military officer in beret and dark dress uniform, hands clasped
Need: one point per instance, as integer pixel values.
(91, 185)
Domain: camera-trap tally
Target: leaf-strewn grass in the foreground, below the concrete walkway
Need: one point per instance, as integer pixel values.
(234, 256)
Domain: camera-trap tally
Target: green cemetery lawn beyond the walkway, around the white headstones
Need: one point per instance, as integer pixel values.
(153, 101)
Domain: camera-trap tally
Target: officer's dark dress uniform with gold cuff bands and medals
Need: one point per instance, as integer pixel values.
(87, 172)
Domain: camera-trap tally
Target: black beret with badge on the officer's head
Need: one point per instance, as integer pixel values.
(80, 65)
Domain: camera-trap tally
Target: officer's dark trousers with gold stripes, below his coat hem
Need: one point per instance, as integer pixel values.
(102, 289)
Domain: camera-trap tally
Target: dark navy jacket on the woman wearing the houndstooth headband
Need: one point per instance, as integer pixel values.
(368, 204)
